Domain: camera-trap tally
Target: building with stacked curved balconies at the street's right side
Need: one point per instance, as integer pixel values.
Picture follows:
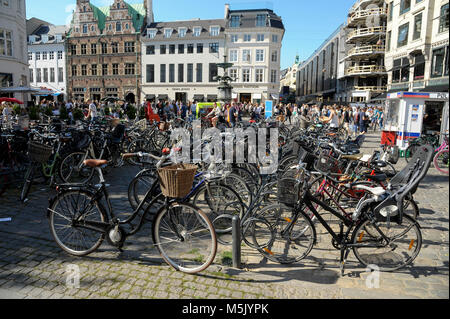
(365, 75)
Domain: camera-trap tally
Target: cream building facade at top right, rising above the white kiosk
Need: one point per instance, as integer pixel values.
(417, 53)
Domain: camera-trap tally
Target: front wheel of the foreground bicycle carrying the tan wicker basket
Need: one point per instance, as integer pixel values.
(185, 237)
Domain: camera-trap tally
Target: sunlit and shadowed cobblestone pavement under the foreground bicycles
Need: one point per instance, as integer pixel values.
(32, 266)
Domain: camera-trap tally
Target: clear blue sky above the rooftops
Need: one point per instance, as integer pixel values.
(308, 23)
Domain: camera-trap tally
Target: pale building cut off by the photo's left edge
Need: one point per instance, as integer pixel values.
(13, 50)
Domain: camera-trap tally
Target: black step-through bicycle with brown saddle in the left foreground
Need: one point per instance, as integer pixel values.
(79, 223)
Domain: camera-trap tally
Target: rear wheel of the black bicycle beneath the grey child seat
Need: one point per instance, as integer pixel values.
(405, 242)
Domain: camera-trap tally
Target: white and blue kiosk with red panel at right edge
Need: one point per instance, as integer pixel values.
(410, 114)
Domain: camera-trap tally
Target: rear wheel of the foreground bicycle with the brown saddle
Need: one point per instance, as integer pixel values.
(64, 211)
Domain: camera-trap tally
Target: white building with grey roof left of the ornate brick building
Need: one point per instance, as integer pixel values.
(47, 57)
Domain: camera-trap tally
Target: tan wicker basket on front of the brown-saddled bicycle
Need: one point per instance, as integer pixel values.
(176, 180)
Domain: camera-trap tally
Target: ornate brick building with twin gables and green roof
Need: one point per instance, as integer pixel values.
(103, 51)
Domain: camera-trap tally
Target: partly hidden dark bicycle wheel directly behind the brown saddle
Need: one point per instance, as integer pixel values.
(72, 171)
